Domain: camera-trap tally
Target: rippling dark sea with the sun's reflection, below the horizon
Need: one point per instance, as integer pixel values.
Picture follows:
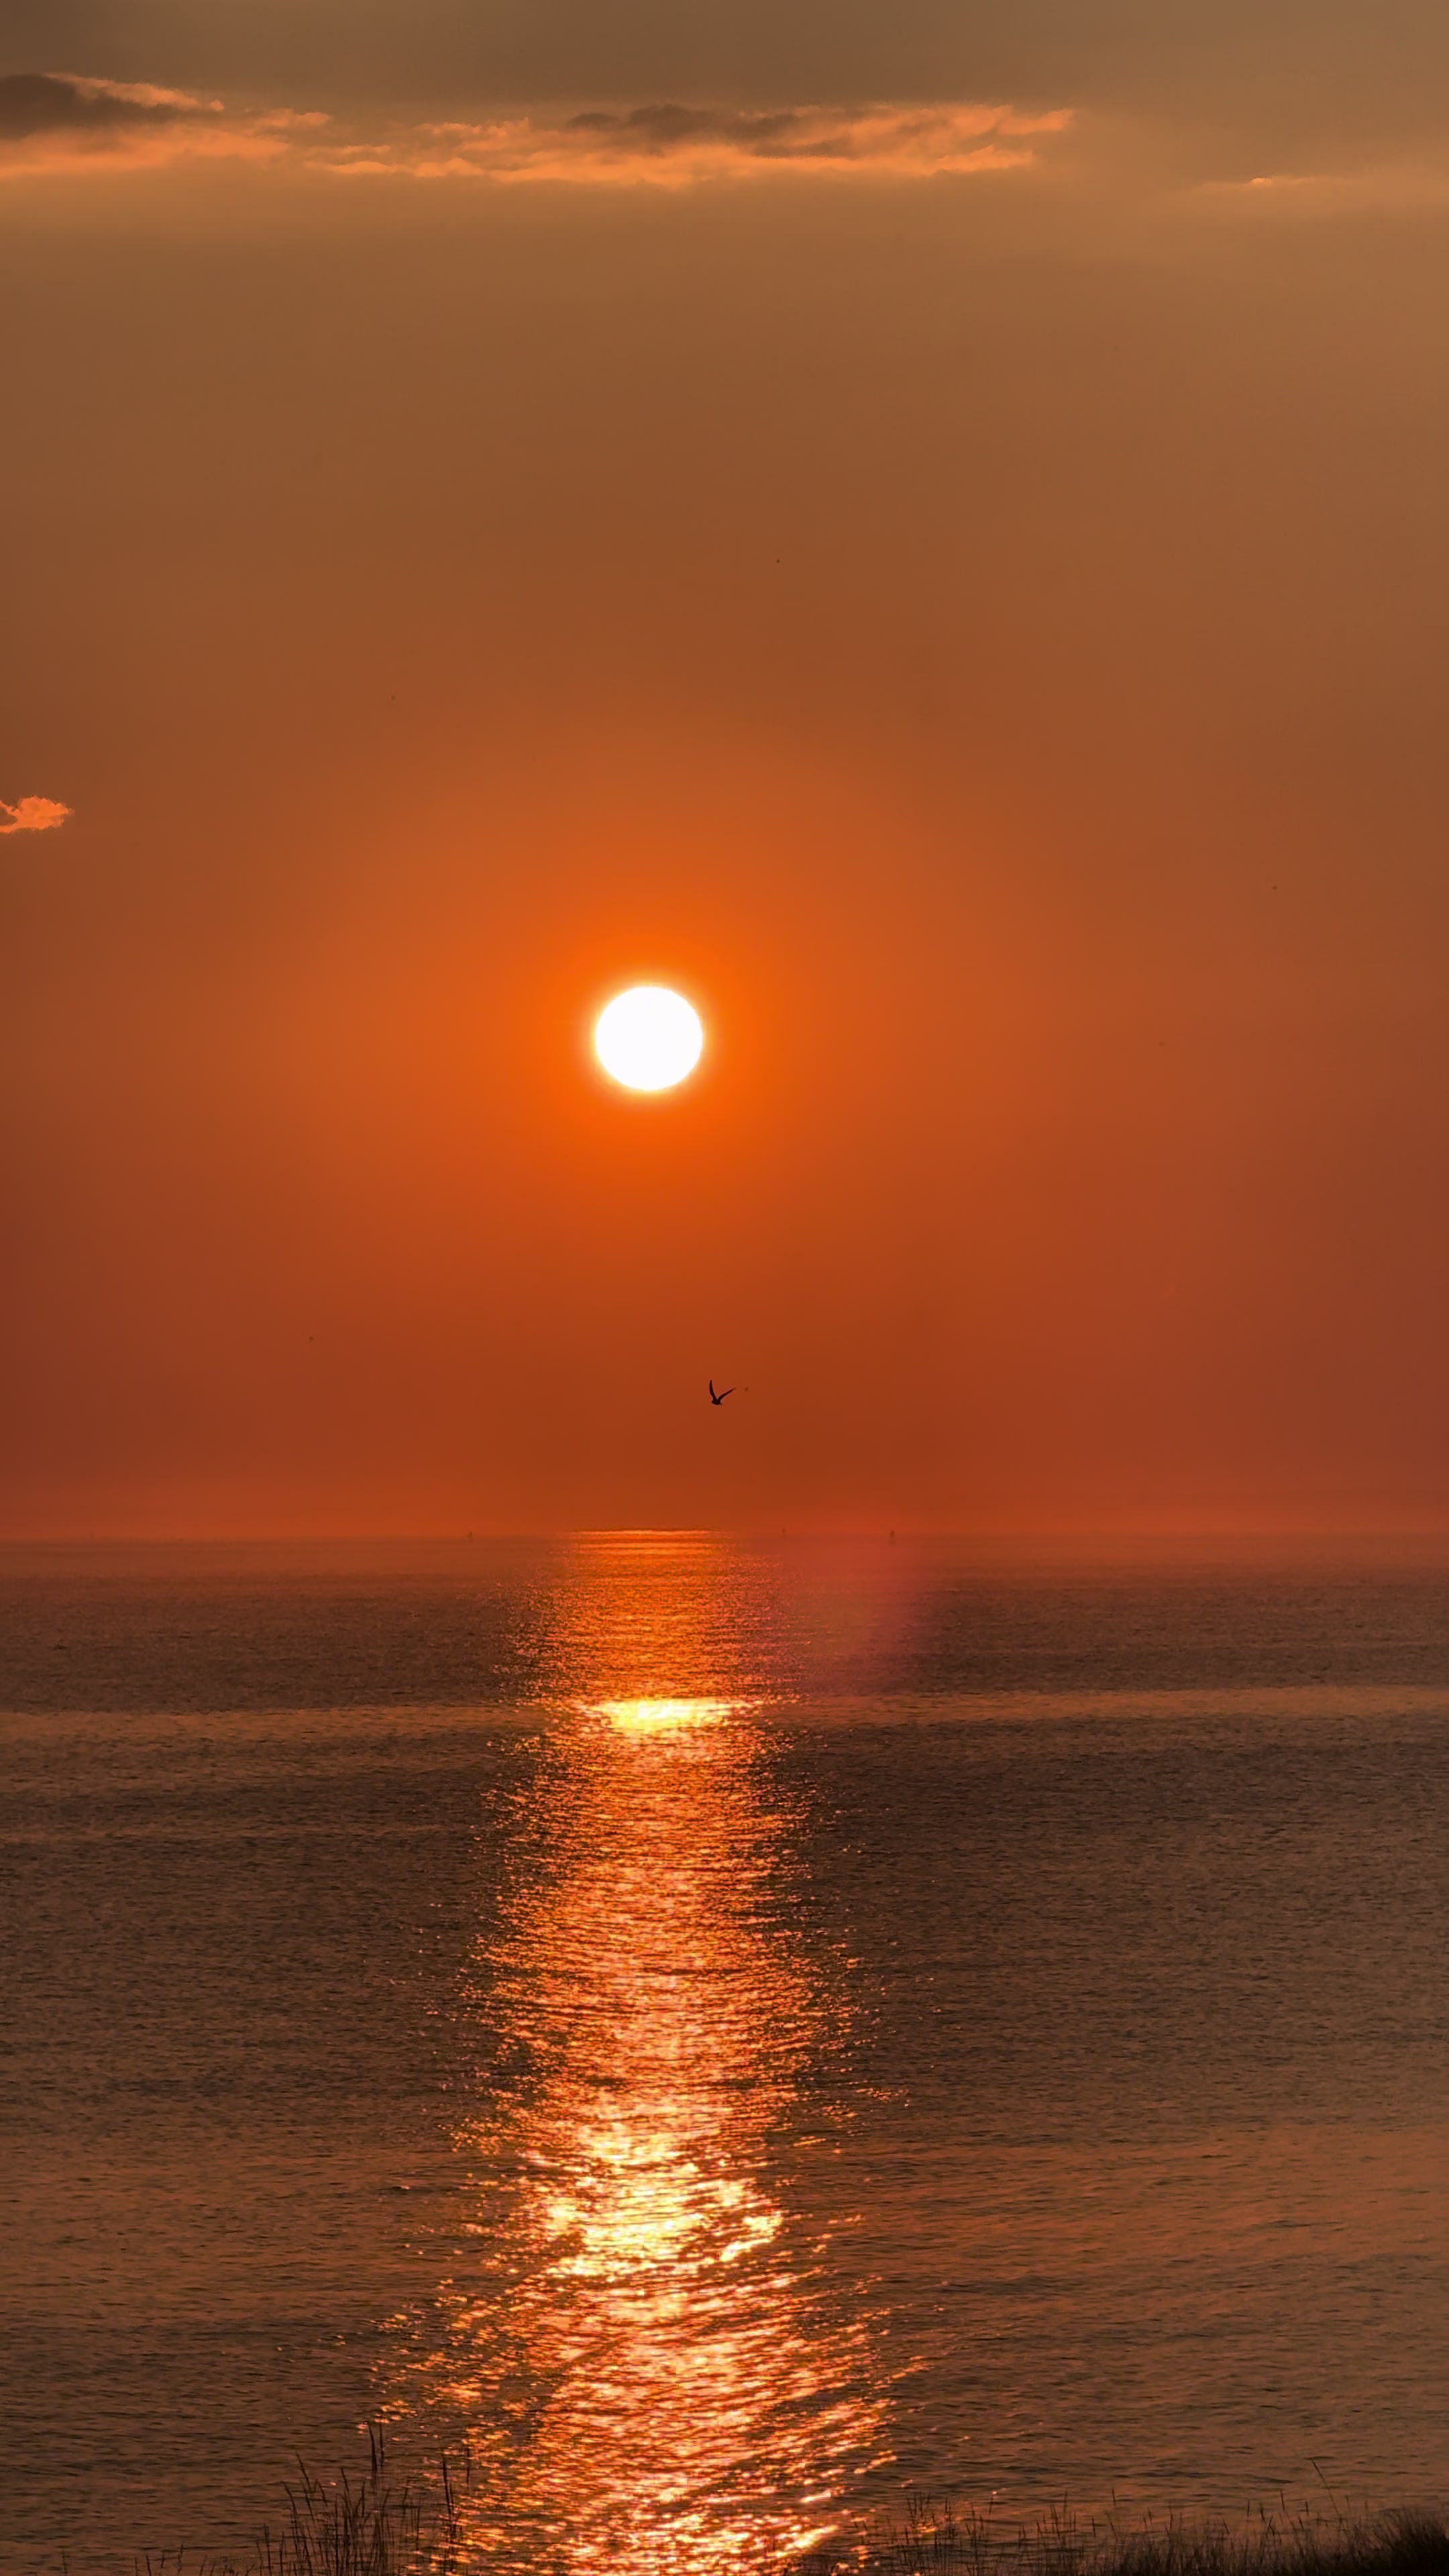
(721, 2034)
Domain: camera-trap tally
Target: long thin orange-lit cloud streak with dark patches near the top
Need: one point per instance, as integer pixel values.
(63, 122)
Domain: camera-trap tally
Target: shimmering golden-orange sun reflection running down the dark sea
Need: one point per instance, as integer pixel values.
(654, 2338)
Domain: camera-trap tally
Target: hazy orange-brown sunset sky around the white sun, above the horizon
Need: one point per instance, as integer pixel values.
(919, 524)
